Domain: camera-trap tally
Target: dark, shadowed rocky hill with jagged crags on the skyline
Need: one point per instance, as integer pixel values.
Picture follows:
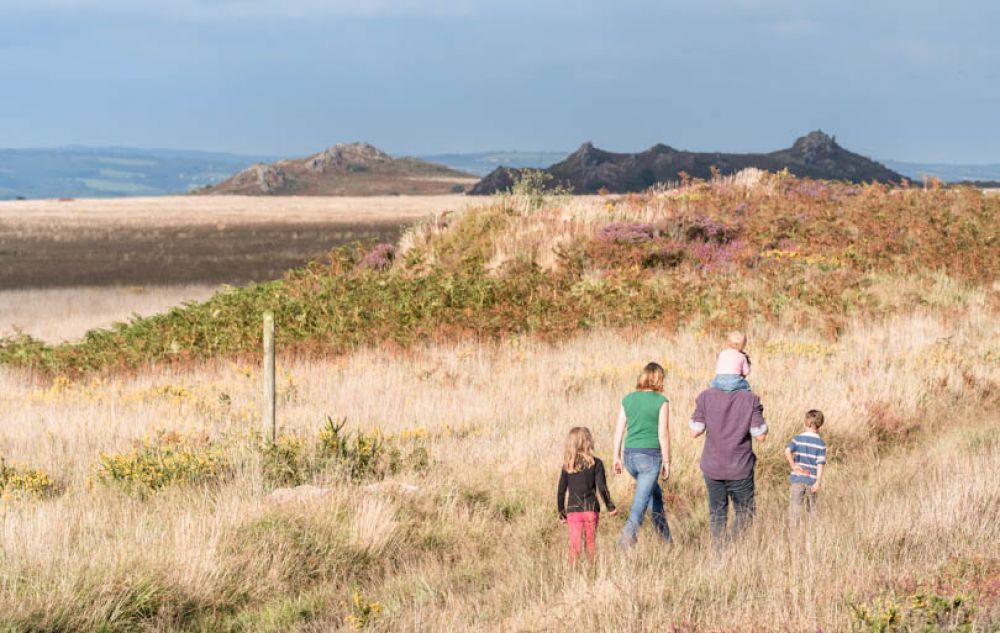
(589, 169)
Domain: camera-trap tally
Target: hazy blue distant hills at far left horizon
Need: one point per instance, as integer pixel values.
(90, 172)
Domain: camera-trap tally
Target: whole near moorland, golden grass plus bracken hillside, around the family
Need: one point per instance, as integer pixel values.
(425, 388)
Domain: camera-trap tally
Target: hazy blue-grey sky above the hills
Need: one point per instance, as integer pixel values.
(908, 80)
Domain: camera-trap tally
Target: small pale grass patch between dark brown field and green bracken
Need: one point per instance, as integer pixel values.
(66, 314)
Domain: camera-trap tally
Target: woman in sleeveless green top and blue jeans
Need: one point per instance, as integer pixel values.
(643, 422)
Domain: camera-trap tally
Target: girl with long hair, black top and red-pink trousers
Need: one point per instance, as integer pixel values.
(582, 476)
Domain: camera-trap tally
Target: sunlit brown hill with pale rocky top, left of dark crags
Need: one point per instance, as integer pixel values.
(354, 169)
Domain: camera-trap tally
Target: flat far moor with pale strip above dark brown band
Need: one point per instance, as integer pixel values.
(189, 239)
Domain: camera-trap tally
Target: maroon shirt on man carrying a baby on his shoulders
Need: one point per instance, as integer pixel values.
(730, 420)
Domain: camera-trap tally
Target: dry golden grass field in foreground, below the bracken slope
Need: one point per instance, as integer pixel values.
(477, 546)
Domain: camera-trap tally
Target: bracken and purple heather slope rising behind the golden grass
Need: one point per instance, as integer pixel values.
(711, 253)
